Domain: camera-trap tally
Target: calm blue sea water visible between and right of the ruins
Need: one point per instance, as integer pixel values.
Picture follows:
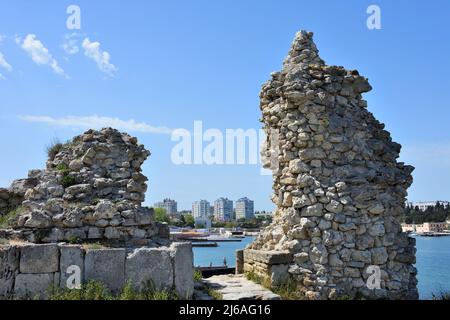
(433, 261)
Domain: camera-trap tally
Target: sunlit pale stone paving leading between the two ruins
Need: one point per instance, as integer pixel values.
(237, 287)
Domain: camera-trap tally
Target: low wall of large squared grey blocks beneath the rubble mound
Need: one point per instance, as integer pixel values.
(28, 271)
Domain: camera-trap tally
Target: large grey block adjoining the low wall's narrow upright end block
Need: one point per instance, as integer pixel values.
(150, 264)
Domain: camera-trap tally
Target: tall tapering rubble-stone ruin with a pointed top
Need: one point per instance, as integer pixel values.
(338, 187)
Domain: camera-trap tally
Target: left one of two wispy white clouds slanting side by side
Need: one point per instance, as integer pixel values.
(39, 53)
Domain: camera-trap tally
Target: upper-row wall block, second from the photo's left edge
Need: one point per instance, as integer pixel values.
(41, 258)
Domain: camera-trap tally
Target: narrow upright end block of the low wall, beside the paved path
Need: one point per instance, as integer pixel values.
(183, 262)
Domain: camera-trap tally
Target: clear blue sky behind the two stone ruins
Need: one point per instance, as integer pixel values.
(169, 63)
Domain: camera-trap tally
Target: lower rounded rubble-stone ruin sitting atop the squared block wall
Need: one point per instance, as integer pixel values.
(91, 190)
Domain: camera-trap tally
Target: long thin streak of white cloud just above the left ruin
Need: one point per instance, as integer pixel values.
(98, 122)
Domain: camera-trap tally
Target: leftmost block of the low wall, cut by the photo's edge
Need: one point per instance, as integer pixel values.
(9, 266)
